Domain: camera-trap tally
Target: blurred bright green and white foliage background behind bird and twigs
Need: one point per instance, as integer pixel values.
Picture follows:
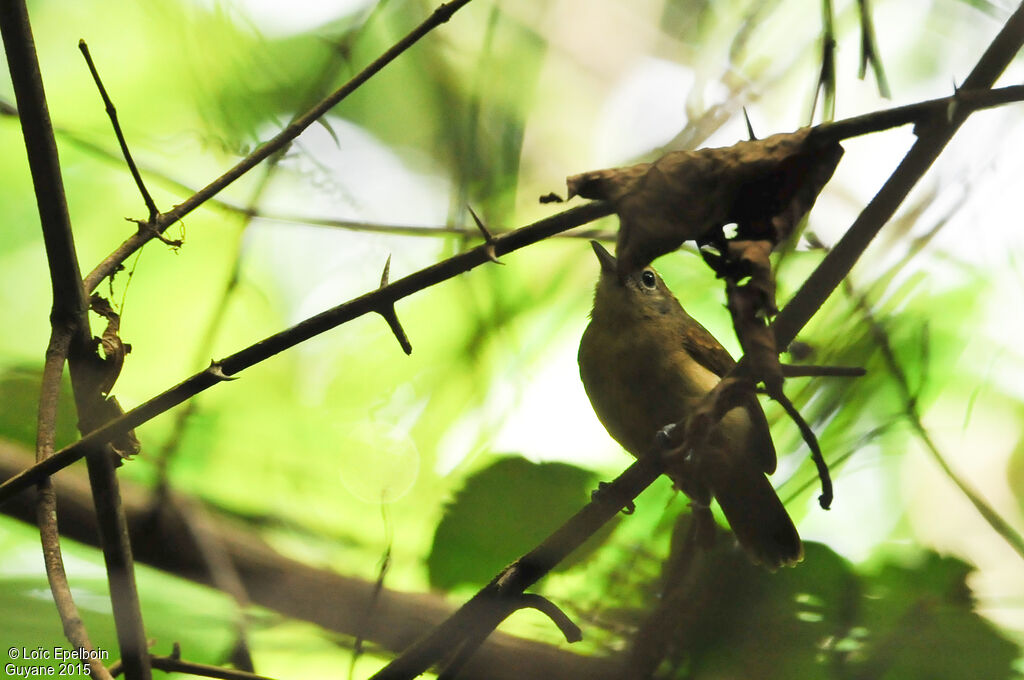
(433, 472)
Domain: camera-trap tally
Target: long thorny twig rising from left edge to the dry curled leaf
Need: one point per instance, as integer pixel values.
(370, 303)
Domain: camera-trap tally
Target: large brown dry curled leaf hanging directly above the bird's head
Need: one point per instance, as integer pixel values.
(764, 187)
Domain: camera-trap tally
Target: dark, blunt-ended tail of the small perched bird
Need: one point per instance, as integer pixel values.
(756, 515)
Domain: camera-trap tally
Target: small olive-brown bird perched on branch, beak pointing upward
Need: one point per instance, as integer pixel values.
(646, 364)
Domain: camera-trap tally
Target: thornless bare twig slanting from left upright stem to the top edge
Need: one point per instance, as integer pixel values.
(442, 15)
